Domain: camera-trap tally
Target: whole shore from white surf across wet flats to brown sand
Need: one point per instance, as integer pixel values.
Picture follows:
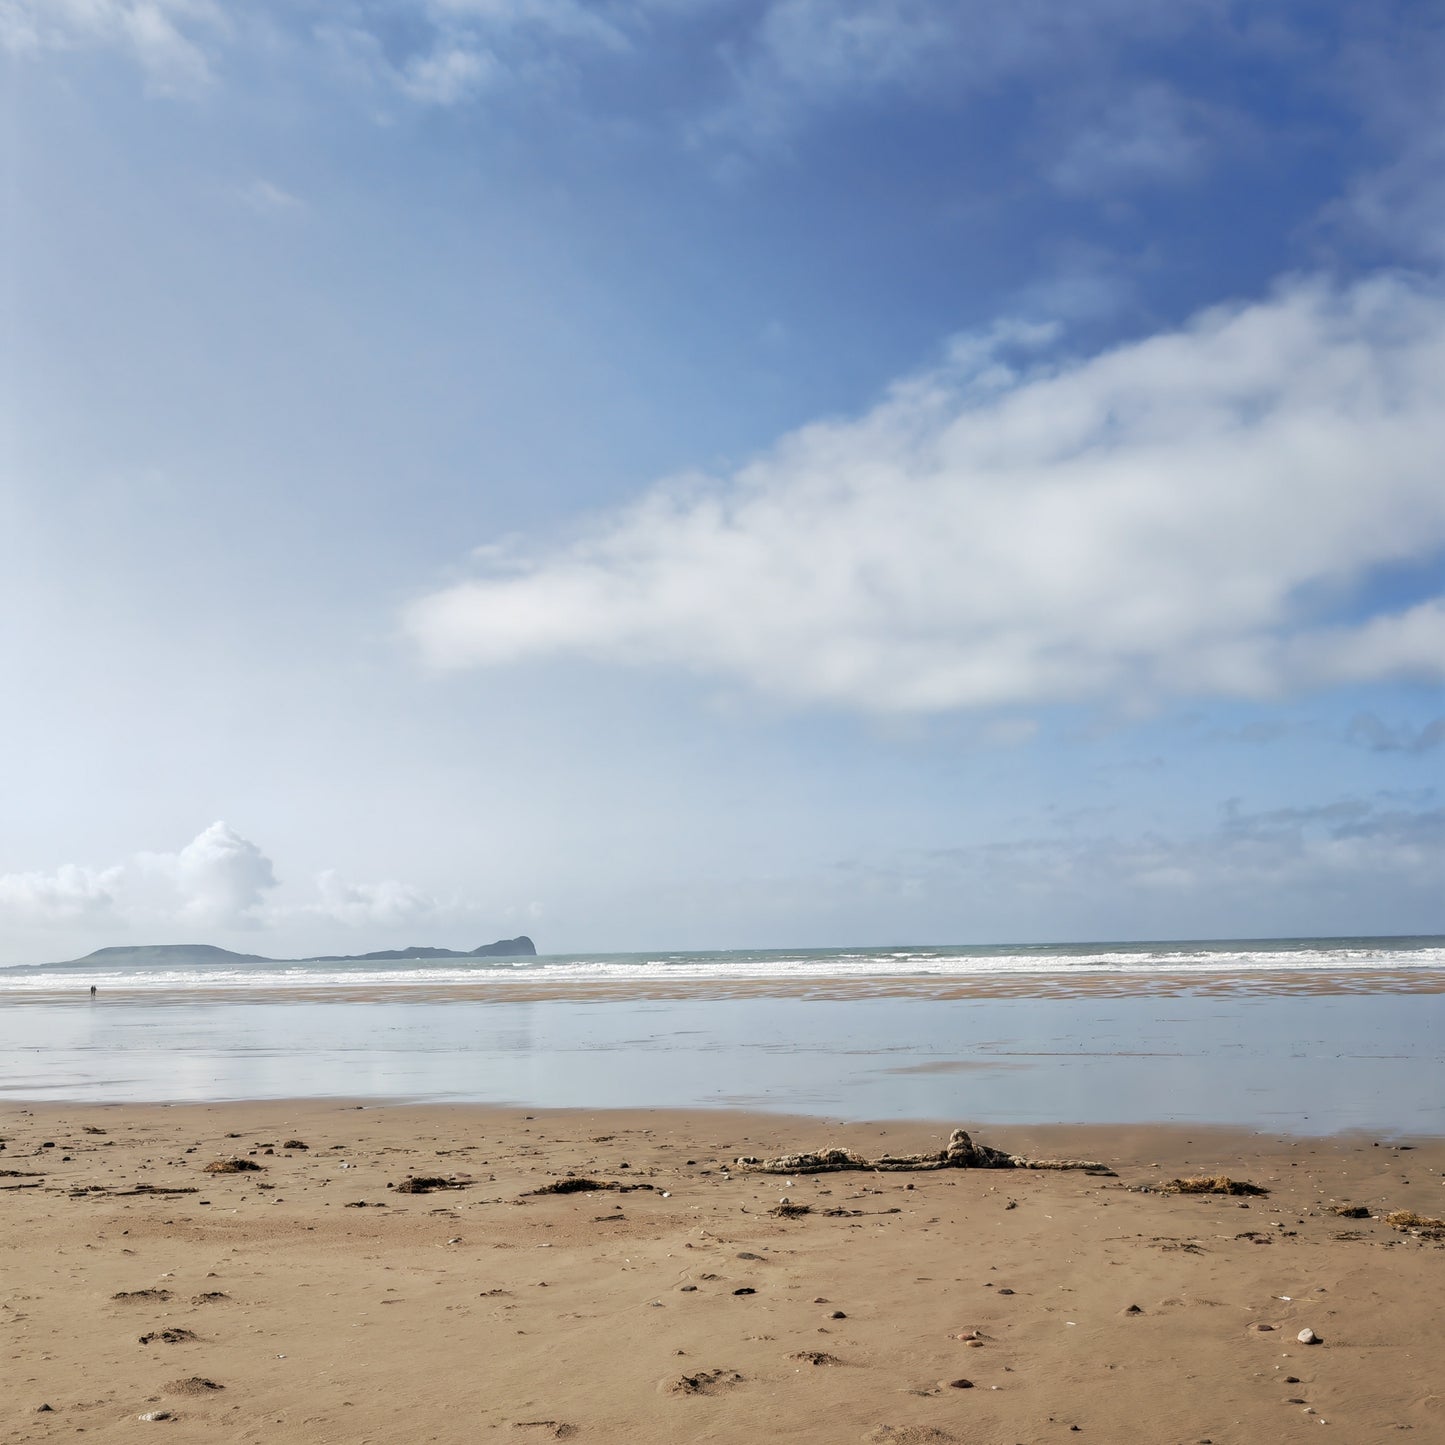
(207, 1222)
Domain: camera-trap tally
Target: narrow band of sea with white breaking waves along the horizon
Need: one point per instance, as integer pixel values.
(1043, 965)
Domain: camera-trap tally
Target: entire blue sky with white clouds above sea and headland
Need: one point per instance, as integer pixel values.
(720, 473)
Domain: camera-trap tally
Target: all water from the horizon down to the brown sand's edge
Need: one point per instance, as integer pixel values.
(1301, 1037)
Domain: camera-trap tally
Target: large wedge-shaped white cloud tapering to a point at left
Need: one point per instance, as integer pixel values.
(1177, 517)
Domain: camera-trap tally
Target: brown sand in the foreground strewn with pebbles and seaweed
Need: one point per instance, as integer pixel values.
(309, 1301)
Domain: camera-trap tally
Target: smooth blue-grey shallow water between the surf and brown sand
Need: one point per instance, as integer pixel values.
(1297, 1064)
